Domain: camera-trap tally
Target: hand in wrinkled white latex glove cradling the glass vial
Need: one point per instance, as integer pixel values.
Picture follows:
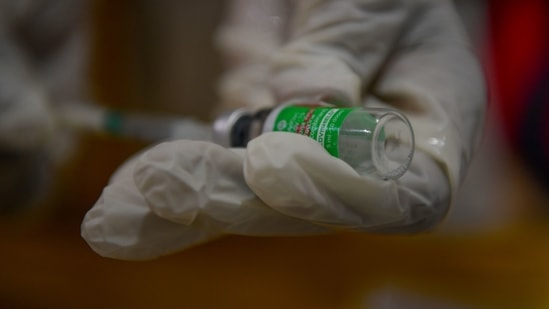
(410, 55)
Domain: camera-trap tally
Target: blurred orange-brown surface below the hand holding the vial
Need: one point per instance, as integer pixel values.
(45, 264)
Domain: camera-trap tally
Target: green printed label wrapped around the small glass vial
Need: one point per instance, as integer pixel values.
(320, 123)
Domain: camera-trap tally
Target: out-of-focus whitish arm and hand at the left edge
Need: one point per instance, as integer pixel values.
(41, 57)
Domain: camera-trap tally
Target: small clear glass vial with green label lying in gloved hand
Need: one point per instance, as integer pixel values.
(377, 141)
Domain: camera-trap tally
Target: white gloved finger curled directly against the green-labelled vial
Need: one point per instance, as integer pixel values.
(294, 175)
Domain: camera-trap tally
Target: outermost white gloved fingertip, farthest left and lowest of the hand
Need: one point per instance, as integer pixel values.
(121, 225)
